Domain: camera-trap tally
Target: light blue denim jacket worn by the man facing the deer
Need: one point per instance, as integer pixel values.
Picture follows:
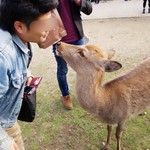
(14, 57)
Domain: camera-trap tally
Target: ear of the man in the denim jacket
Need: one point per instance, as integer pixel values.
(20, 27)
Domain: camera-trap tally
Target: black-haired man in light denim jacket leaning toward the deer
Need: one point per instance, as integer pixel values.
(21, 22)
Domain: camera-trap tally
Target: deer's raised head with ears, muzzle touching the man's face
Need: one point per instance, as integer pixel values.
(87, 58)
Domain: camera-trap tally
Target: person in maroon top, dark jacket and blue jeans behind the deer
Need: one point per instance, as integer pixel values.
(70, 13)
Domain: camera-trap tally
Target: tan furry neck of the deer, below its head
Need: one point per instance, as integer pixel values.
(89, 92)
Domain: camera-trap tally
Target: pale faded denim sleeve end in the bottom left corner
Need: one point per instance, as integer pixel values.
(5, 141)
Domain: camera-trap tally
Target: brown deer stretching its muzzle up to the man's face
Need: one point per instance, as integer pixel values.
(114, 101)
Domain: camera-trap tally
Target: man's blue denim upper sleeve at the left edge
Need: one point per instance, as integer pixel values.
(4, 79)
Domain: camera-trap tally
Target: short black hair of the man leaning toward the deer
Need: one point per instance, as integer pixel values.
(25, 11)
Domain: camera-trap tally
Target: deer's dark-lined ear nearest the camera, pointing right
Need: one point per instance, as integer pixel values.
(110, 66)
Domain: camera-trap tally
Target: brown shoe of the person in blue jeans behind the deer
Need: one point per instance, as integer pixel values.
(67, 103)
